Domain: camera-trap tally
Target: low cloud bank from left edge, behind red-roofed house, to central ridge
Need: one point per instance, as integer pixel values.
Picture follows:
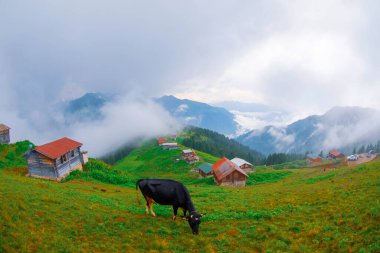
(125, 120)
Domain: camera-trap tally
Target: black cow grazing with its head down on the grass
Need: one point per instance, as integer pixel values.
(169, 192)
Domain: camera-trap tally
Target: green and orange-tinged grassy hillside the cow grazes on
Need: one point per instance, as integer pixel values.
(307, 210)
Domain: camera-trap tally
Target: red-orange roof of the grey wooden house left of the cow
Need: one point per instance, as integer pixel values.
(58, 148)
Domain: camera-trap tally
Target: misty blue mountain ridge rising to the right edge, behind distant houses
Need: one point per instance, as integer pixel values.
(340, 127)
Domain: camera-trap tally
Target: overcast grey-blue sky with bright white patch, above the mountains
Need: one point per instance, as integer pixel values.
(302, 56)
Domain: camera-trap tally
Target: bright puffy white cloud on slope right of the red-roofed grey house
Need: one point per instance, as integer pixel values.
(124, 122)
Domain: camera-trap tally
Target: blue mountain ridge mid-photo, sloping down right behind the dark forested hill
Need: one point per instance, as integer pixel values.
(200, 114)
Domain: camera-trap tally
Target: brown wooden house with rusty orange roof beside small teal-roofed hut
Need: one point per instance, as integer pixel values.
(226, 173)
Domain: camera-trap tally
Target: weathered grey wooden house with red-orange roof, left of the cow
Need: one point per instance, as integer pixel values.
(55, 160)
